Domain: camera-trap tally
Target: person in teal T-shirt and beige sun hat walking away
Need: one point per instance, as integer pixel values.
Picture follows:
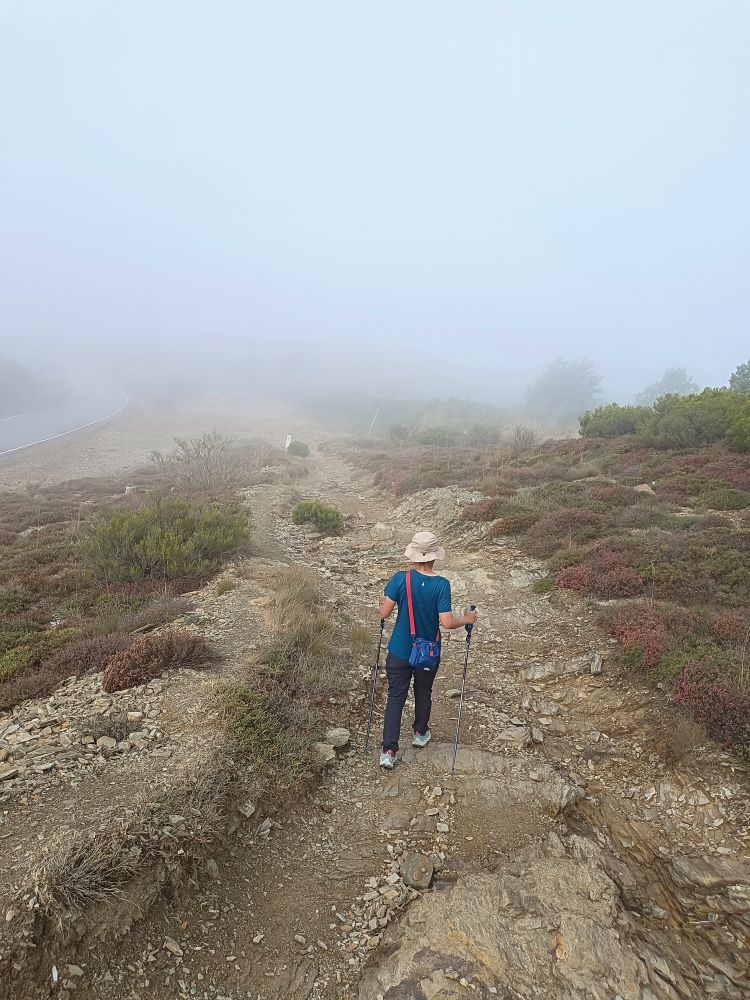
(431, 604)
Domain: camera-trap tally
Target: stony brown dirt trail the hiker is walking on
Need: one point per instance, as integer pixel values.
(568, 857)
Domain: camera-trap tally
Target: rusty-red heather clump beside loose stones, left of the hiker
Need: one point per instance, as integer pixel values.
(150, 656)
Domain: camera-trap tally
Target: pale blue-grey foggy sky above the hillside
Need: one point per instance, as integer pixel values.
(417, 192)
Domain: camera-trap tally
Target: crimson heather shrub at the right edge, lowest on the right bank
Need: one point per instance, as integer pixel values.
(722, 707)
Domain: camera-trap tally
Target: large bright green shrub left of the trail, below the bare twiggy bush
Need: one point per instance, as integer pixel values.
(169, 538)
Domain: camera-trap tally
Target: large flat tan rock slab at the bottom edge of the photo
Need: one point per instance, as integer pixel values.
(543, 926)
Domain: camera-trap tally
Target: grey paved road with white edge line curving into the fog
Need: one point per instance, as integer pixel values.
(90, 401)
